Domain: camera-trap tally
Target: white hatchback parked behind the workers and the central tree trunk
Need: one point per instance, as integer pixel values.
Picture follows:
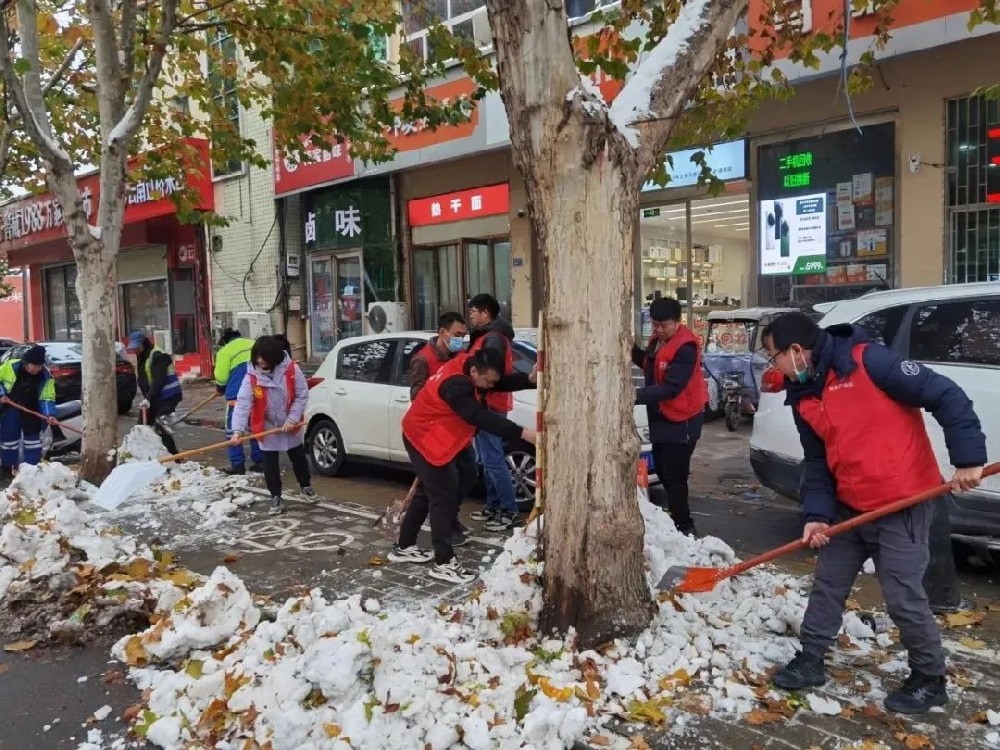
(362, 390)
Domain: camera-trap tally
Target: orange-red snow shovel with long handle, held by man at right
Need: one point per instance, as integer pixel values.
(684, 580)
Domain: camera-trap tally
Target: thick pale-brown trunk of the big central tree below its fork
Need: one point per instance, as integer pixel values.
(594, 565)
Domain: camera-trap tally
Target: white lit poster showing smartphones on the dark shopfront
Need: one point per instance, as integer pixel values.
(793, 235)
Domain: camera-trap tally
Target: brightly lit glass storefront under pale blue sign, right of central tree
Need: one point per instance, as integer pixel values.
(693, 247)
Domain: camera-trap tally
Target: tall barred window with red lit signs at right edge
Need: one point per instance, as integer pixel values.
(973, 219)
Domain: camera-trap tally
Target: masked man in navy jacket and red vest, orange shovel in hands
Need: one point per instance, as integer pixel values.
(858, 409)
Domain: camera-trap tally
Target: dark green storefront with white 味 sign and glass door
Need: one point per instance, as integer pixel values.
(350, 259)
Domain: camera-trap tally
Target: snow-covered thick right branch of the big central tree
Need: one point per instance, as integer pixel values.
(663, 83)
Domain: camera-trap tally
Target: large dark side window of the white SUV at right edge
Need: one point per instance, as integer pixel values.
(963, 332)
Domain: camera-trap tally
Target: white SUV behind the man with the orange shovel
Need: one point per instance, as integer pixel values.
(954, 330)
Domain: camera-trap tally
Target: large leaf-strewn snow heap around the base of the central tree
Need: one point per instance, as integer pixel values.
(339, 674)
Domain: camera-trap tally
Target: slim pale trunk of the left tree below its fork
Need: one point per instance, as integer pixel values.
(96, 281)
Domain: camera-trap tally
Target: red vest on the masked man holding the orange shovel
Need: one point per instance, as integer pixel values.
(876, 448)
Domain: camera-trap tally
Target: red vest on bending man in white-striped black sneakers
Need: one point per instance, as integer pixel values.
(433, 427)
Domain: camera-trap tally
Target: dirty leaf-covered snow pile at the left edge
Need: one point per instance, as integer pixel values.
(66, 573)
